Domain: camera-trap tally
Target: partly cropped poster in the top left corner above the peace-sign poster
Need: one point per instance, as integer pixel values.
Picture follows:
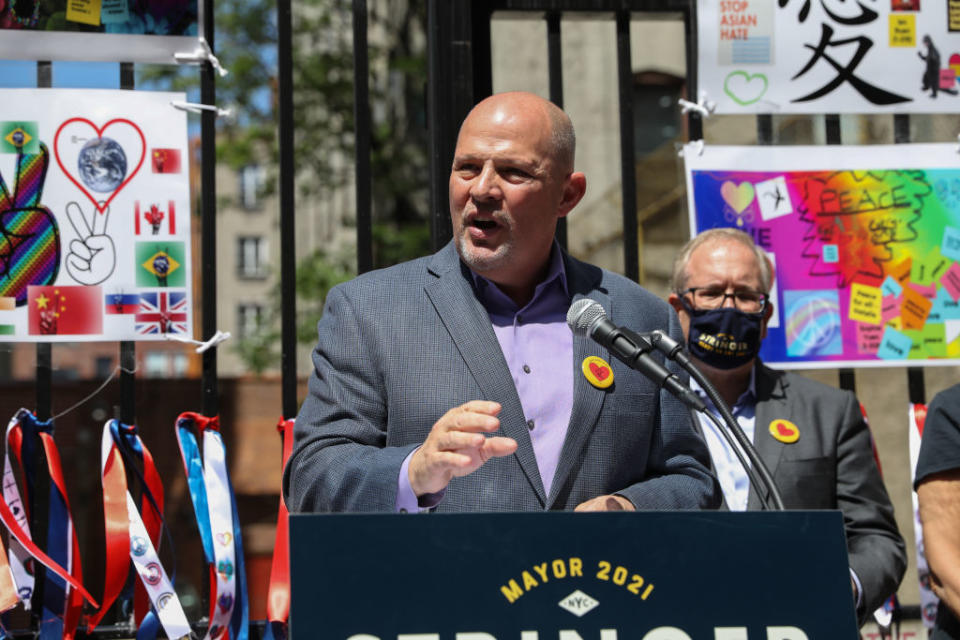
(103, 30)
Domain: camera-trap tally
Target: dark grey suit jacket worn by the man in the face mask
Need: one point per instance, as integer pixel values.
(831, 466)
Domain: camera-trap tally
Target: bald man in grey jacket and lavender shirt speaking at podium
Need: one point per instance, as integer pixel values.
(452, 382)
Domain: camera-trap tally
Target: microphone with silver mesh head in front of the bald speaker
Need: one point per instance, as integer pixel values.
(587, 317)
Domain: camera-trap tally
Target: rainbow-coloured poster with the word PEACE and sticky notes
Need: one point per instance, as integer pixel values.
(865, 241)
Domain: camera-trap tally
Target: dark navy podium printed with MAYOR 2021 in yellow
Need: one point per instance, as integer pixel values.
(570, 576)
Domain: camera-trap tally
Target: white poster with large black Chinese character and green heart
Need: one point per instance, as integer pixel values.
(830, 56)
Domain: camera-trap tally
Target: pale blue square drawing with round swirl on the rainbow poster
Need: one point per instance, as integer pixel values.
(813, 325)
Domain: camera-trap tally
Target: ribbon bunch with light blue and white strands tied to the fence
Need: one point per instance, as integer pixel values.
(215, 508)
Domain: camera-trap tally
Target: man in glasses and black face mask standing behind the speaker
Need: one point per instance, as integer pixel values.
(812, 437)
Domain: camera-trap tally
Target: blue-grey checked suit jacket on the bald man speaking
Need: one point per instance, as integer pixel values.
(399, 347)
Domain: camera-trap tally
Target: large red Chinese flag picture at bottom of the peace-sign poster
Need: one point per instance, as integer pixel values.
(64, 310)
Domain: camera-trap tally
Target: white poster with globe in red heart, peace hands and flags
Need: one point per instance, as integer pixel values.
(94, 216)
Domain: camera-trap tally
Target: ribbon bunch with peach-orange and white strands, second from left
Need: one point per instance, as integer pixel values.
(132, 534)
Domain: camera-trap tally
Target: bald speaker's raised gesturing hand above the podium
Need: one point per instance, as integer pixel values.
(457, 446)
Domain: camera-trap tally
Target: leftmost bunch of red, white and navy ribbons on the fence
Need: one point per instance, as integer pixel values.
(63, 592)
